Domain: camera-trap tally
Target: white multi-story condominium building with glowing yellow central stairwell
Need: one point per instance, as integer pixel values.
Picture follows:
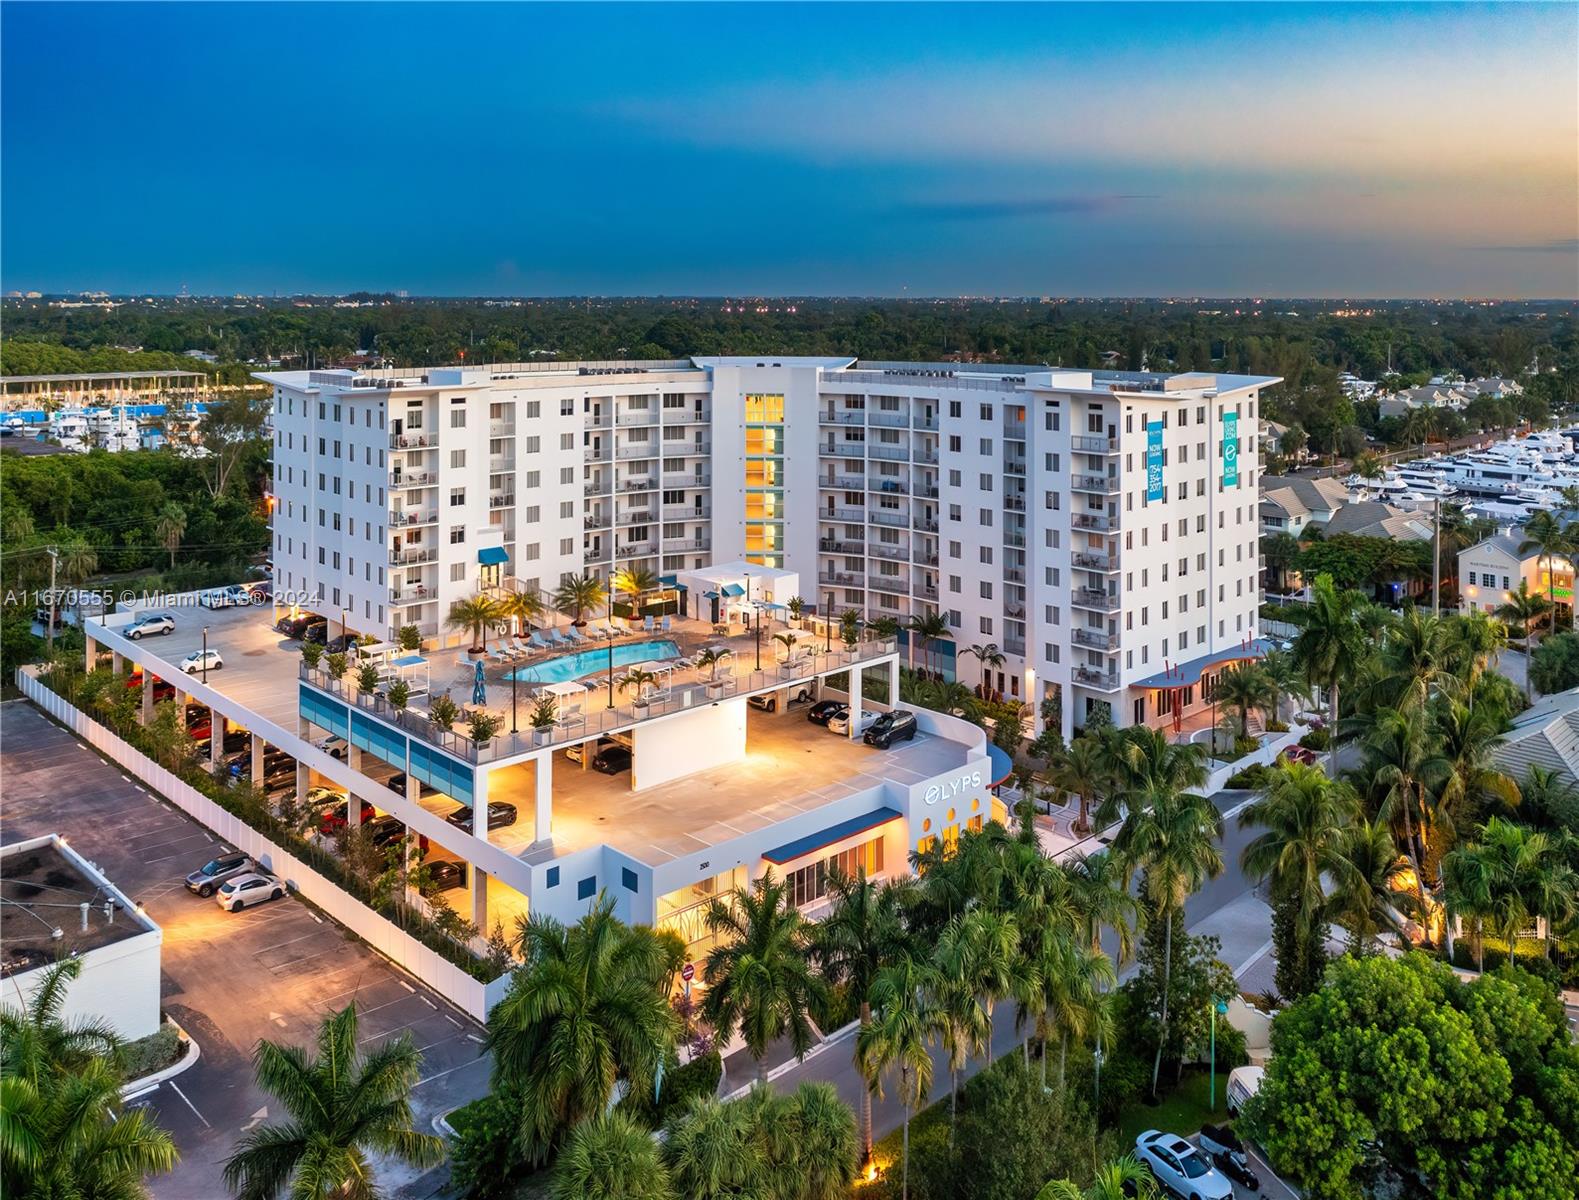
(1098, 528)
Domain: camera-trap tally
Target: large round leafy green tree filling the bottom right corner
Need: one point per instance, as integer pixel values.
(1471, 1090)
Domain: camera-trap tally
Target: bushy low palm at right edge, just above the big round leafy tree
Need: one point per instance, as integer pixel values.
(1513, 876)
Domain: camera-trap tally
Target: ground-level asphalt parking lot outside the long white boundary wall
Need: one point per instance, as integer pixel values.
(228, 980)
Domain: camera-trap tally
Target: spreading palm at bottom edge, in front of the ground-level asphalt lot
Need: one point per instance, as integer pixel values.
(343, 1106)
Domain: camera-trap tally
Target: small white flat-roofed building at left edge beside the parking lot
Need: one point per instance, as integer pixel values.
(59, 906)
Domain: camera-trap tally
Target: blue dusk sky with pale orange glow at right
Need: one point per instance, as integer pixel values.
(926, 151)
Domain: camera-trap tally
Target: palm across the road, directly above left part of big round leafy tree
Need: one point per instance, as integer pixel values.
(1303, 816)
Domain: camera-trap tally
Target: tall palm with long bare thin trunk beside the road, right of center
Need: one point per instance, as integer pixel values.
(1169, 833)
